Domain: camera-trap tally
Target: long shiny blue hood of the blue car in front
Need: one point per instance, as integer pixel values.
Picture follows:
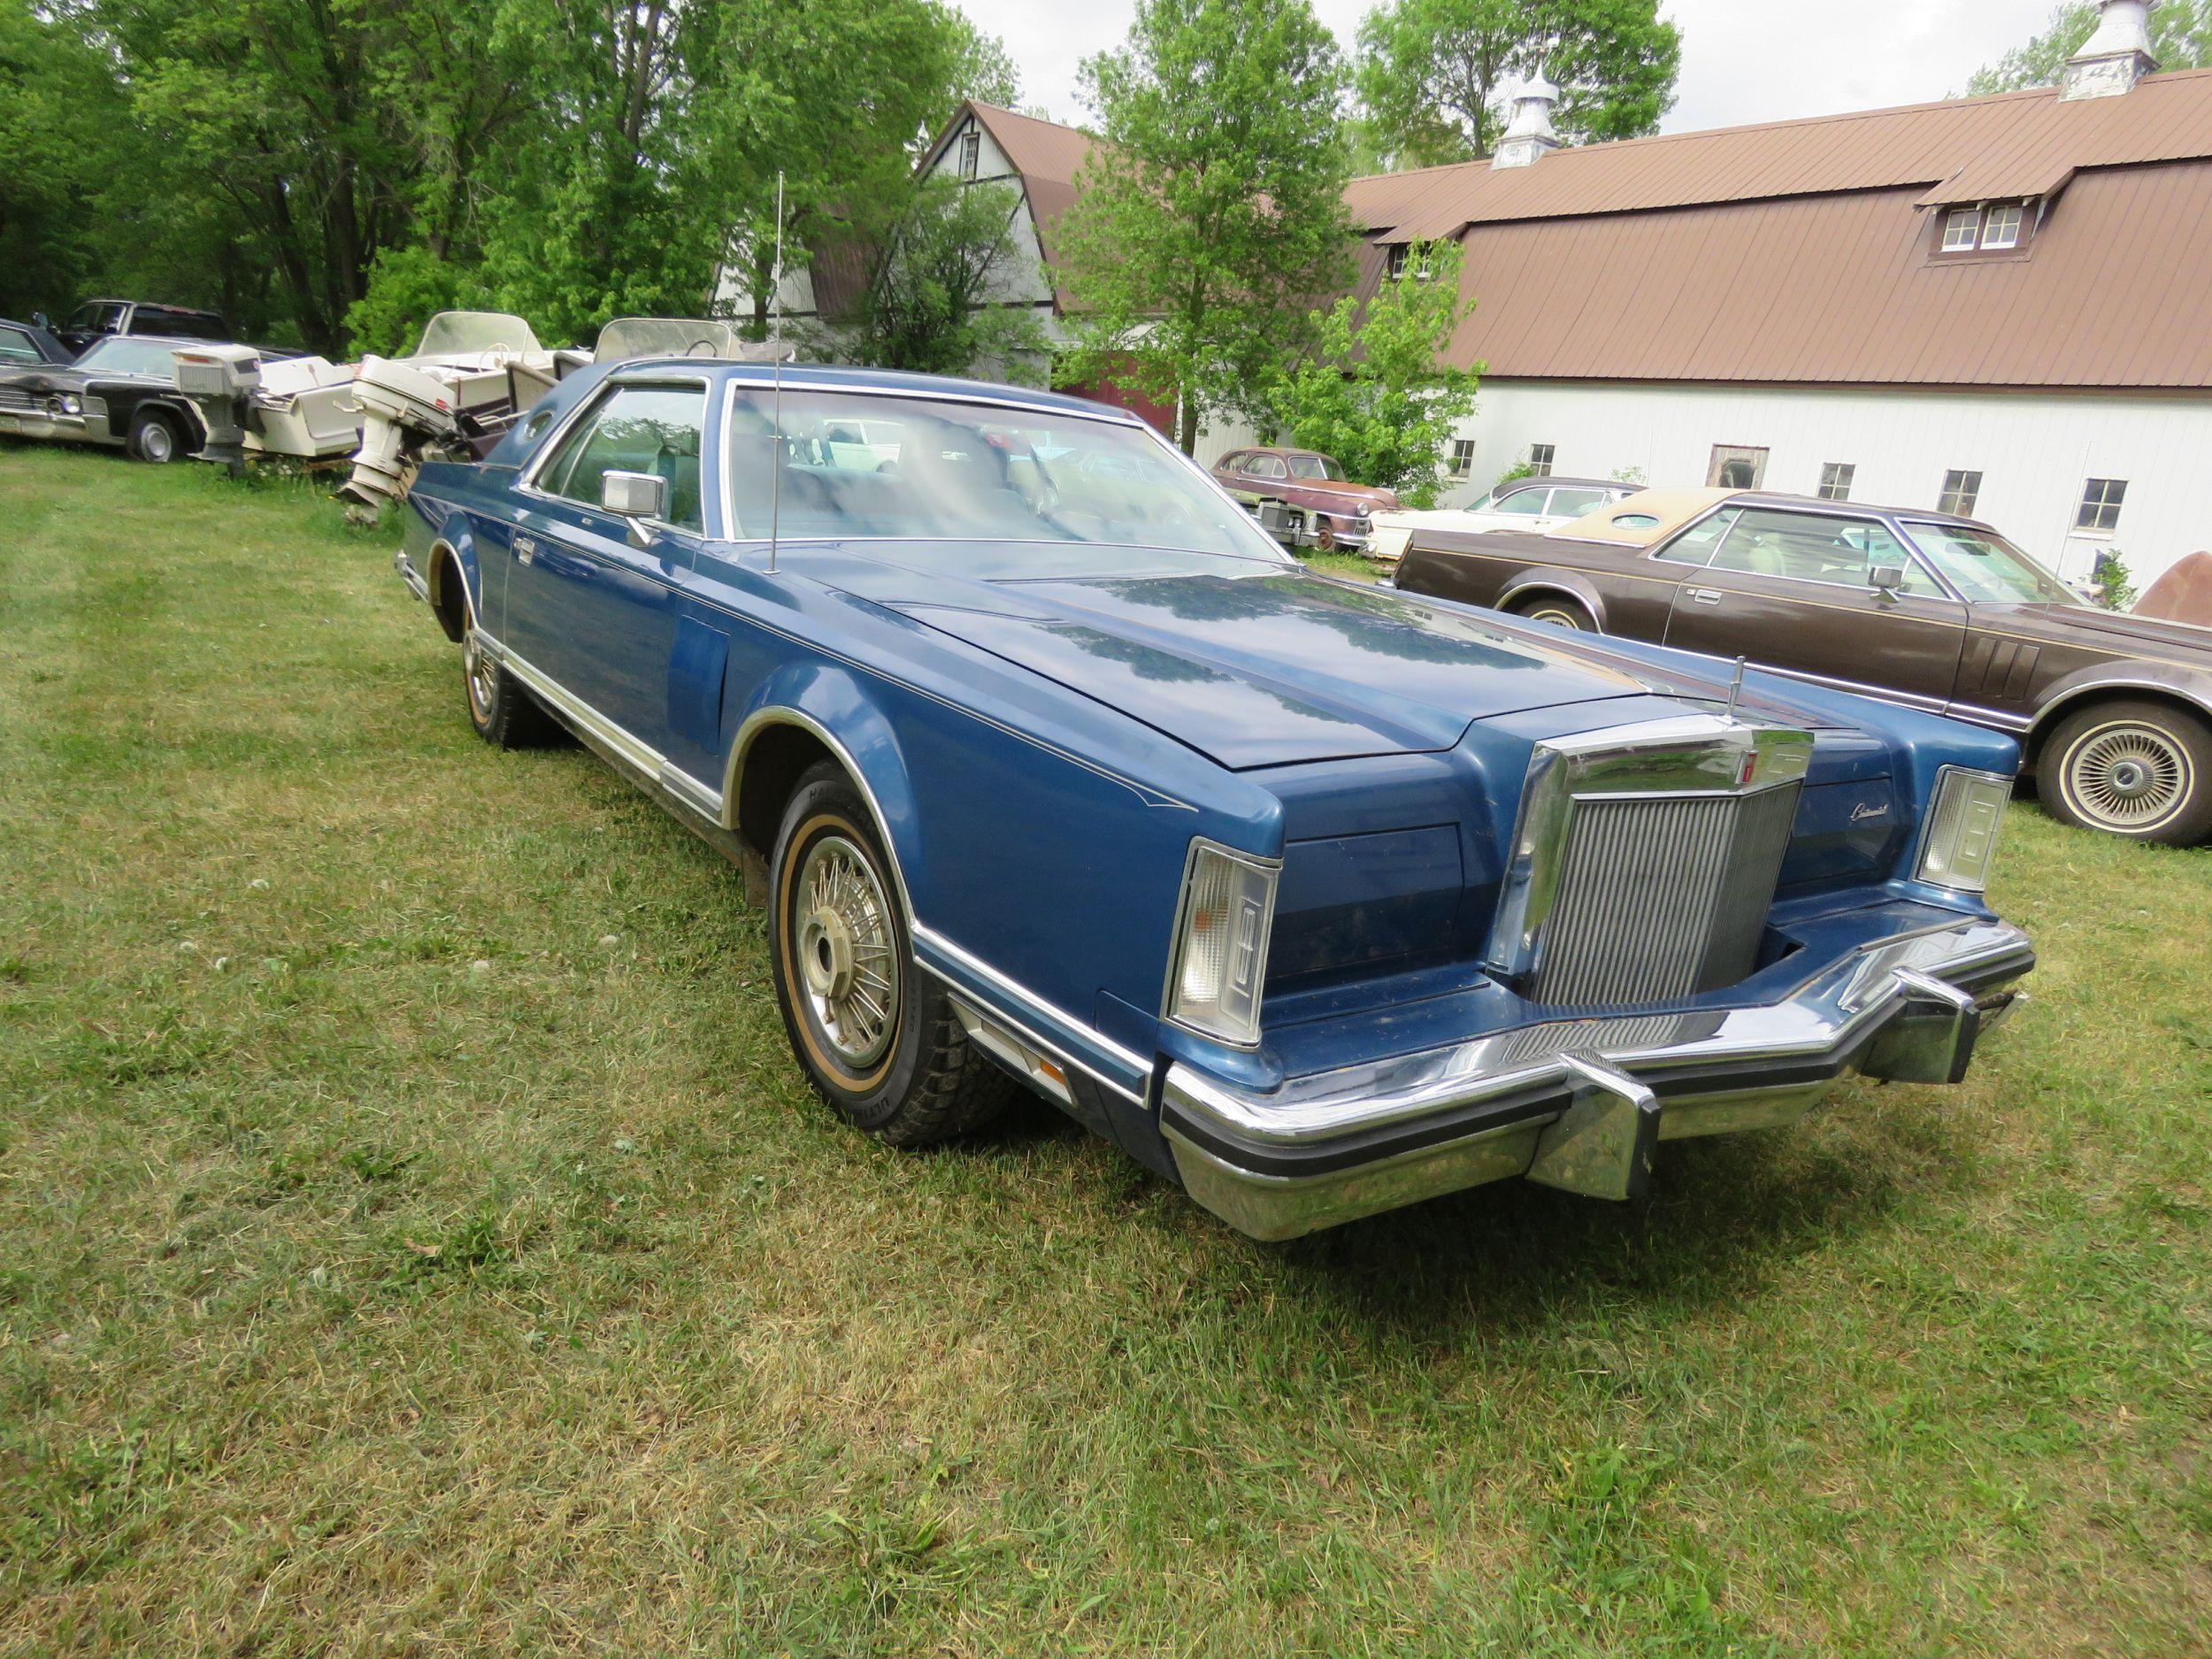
(1280, 669)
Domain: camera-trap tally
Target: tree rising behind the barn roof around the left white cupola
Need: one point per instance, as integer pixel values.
(1434, 74)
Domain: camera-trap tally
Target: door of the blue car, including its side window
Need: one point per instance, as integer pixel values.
(587, 607)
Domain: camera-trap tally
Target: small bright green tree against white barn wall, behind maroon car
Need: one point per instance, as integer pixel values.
(1379, 393)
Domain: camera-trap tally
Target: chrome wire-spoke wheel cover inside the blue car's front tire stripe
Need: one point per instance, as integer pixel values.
(848, 952)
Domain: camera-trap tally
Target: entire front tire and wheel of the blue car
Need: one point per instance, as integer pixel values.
(875, 1034)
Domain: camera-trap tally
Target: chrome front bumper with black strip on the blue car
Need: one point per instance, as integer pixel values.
(1580, 1105)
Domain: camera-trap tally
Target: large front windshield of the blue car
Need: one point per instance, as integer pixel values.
(873, 468)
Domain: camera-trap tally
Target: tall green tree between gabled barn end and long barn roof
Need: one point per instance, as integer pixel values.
(1213, 211)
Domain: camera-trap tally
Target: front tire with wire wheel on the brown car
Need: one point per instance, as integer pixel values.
(2131, 769)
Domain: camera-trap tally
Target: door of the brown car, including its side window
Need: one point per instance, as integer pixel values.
(1793, 589)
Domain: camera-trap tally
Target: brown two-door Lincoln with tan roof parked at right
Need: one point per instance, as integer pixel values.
(1921, 609)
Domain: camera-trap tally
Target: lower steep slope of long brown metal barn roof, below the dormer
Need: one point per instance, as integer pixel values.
(1848, 291)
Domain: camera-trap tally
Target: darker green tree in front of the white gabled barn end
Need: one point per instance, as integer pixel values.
(950, 253)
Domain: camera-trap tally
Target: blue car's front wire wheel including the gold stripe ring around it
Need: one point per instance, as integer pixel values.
(842, 952)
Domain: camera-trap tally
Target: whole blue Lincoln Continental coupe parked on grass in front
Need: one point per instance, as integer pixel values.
(1317, 899)
